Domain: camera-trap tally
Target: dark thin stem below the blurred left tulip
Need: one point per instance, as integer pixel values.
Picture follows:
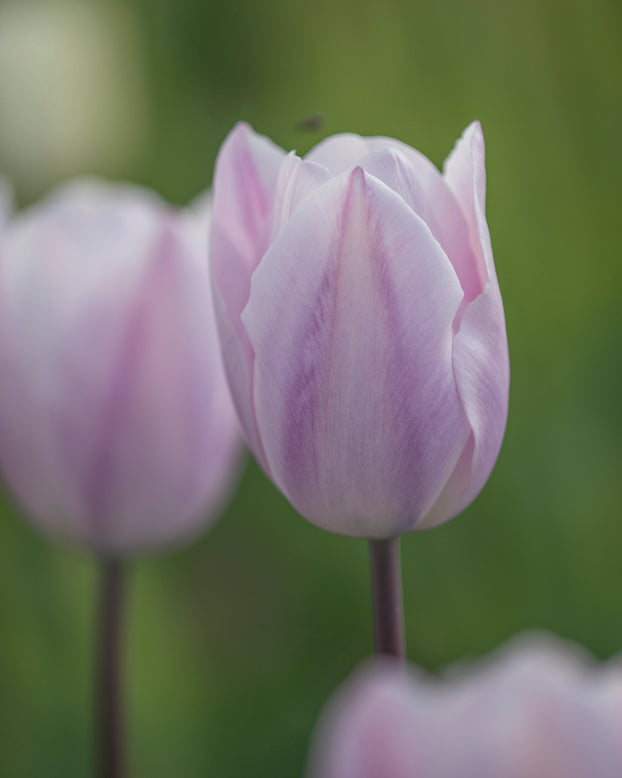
(110, 724)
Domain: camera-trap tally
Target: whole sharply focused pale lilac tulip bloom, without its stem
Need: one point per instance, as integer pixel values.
(362, 326)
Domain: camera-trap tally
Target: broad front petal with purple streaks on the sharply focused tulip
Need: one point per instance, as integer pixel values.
(350, 318)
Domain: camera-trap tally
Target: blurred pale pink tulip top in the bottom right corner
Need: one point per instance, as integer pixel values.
(539, 709)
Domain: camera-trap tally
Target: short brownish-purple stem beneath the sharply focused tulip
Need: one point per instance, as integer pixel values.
(386, 582)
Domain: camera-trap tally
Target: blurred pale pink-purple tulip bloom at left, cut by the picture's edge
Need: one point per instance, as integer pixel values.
(117, 430)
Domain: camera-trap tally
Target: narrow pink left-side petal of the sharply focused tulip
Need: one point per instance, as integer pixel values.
(245, 181)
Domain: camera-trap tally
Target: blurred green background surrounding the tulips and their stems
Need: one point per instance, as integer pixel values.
(235, 642)
